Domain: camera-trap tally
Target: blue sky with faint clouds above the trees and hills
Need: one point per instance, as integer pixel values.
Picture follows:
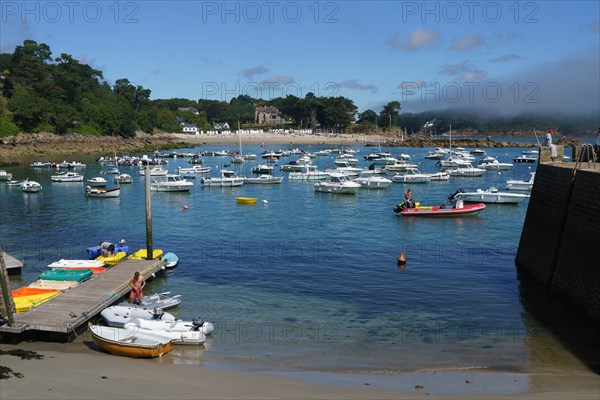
(501, 56)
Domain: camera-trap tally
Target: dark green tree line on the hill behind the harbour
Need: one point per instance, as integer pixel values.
(39, 93)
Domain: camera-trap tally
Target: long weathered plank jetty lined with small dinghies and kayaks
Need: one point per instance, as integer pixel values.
(64, 315)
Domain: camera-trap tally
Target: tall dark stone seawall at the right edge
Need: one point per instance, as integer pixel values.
(560, 241)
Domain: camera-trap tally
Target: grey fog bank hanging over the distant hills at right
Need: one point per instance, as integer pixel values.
(569, 87)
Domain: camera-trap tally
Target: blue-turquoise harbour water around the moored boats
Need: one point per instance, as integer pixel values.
(305, 279)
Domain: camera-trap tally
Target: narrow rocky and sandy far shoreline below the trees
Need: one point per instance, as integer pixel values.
(48, 144)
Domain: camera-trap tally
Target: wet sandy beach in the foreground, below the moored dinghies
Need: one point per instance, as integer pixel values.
(80, 371)
